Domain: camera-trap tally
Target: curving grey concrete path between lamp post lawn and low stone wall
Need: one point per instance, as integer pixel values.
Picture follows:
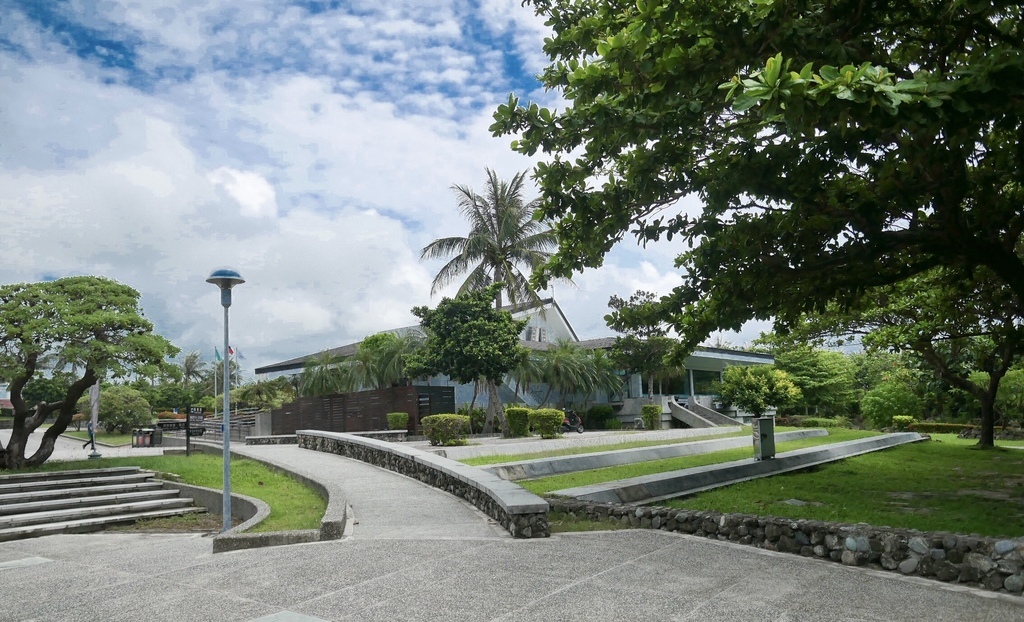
(383, 505)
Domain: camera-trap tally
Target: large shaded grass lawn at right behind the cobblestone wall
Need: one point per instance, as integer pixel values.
(943, 485)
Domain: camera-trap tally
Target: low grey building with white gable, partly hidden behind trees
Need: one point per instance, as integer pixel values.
(546, 325)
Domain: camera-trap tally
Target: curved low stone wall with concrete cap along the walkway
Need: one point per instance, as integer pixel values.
(522, 513)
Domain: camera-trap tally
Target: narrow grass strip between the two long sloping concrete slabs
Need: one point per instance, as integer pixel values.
(546, 485)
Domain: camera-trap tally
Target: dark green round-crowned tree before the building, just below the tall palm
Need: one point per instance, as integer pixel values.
(470, 340)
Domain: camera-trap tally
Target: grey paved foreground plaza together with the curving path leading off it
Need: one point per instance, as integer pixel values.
(414, 553)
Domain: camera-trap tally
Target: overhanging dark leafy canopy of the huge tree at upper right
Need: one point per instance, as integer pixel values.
(833, 146)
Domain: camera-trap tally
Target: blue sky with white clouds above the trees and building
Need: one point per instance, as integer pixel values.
(310, 145)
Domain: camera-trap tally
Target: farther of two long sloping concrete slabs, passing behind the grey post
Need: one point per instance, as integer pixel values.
(543, 468)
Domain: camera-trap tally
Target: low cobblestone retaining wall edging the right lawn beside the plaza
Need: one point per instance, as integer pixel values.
(988, 563)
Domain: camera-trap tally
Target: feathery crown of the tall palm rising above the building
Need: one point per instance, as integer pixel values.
(503, 239)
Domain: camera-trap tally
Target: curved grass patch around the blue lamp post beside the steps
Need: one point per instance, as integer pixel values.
(293, 506)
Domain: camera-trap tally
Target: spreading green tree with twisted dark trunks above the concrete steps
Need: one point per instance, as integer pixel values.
(93, 323)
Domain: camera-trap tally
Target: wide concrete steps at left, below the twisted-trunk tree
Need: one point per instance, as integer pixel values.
(79, 502)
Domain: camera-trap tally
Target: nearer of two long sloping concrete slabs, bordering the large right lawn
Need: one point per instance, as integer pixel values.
(649, 489)
